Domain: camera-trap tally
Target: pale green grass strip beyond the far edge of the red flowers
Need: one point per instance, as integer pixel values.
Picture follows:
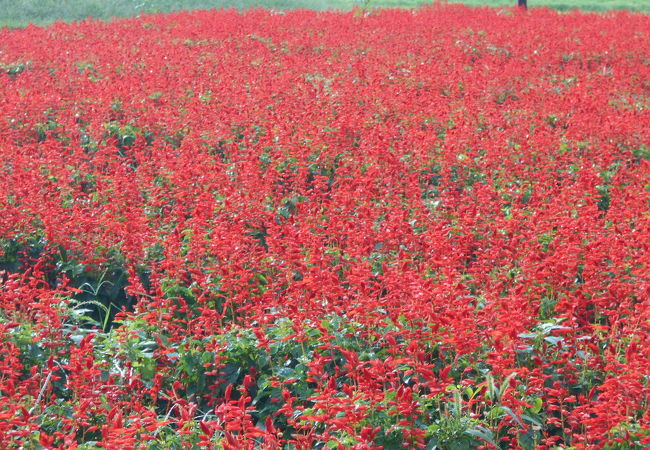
(18, 13)
